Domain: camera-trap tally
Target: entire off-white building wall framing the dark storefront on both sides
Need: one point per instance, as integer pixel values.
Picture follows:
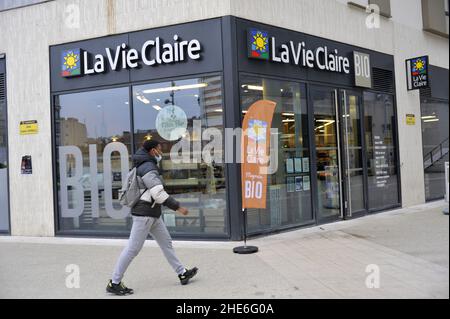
(27, 33)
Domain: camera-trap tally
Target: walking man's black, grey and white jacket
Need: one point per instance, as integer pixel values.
(151, 200)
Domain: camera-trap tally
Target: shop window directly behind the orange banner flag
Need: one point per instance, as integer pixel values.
(289, 189)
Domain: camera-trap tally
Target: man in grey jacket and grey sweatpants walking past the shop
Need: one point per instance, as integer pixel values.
(147, 219)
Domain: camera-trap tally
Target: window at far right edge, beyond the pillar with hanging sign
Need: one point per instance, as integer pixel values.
(435, 145)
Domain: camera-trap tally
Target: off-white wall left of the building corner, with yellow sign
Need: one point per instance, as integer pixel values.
(25, 37)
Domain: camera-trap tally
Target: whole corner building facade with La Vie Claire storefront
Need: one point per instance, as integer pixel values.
(85, 83)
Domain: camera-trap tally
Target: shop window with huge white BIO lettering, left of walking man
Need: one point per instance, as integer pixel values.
(93, 155)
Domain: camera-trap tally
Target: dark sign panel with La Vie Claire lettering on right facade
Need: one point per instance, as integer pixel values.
(268, 50)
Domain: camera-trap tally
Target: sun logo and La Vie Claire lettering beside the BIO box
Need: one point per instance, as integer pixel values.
(262, 46)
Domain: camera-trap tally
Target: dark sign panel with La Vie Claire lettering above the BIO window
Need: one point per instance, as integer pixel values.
(179, 50)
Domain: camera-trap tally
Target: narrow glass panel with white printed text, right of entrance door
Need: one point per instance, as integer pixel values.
(381, 148)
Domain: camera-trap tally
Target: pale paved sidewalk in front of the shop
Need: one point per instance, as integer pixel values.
(410, 247)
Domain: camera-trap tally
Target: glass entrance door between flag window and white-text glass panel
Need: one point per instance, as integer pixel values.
(339, 156)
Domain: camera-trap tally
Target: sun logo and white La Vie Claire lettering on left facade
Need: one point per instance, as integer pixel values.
(77, 62)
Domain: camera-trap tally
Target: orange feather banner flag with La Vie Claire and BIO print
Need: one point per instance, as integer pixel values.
(255, 153)
